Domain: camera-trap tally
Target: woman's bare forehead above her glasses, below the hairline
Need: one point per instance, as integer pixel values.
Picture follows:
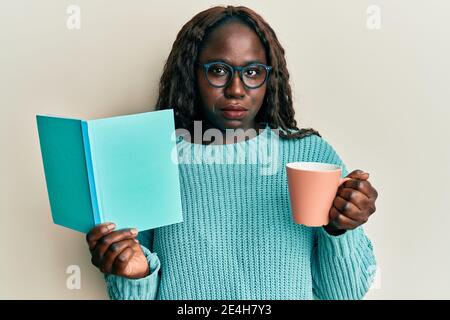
(235, 43)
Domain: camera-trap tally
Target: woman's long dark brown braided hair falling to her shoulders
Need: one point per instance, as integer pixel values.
(178, 84)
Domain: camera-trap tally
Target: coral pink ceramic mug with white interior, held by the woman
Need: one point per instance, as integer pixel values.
(312, 189)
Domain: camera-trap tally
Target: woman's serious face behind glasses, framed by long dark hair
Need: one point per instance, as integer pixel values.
(237, 45)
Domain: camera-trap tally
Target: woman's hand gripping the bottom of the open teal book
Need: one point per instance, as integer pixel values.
(117, 252)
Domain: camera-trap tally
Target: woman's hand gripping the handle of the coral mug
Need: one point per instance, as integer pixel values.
(353, 205)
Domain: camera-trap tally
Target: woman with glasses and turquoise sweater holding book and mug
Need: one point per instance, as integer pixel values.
(227, 71)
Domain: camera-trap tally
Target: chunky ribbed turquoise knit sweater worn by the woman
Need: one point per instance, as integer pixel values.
(238, 240)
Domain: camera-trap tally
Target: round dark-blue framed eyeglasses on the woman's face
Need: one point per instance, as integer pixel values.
(219, 74)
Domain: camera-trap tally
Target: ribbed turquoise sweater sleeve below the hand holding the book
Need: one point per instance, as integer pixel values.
(121, 288)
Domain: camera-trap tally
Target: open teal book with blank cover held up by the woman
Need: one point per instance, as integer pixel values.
(119, 169)
